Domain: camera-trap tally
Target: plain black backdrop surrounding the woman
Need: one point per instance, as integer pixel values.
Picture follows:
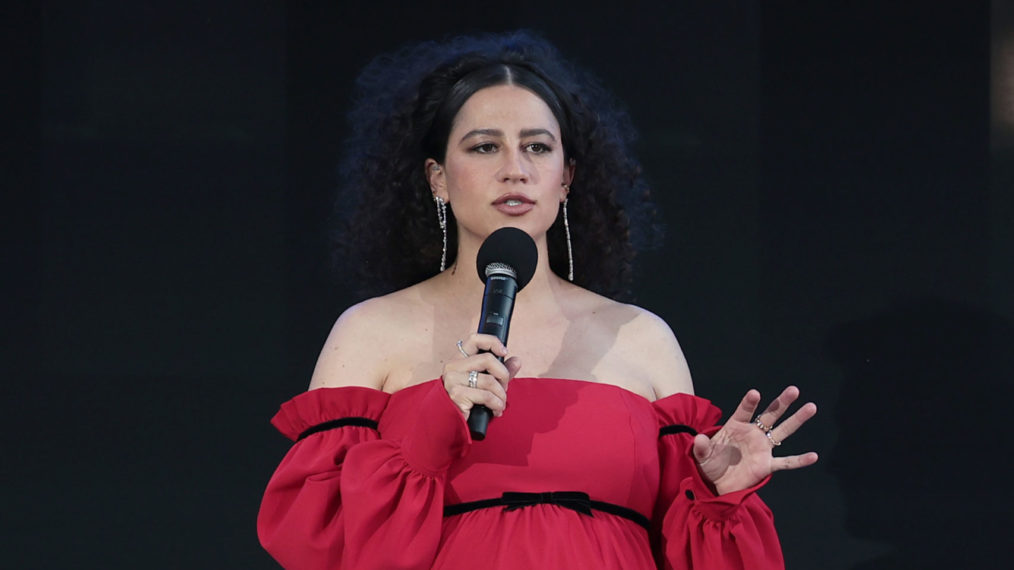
(836, 186)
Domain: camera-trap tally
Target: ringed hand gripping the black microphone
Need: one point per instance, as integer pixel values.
(491, 381)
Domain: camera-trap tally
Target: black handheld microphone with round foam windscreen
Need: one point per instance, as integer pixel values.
(506, 262)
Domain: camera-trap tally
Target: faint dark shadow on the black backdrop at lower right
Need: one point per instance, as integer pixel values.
(924, 434)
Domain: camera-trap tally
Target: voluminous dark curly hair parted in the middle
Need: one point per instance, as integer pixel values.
(405, 104)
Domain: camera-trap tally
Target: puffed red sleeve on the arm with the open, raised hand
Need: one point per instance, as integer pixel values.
(700, 530)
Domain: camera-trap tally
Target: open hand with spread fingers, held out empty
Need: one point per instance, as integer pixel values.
(741, 455)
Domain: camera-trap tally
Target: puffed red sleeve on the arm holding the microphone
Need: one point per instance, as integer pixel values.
(364, 485)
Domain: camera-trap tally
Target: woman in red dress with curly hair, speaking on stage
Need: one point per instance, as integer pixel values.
(599, 455)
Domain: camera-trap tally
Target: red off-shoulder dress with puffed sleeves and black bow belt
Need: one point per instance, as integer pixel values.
(597, 477)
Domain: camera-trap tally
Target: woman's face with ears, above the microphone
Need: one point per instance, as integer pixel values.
(504, 165)
